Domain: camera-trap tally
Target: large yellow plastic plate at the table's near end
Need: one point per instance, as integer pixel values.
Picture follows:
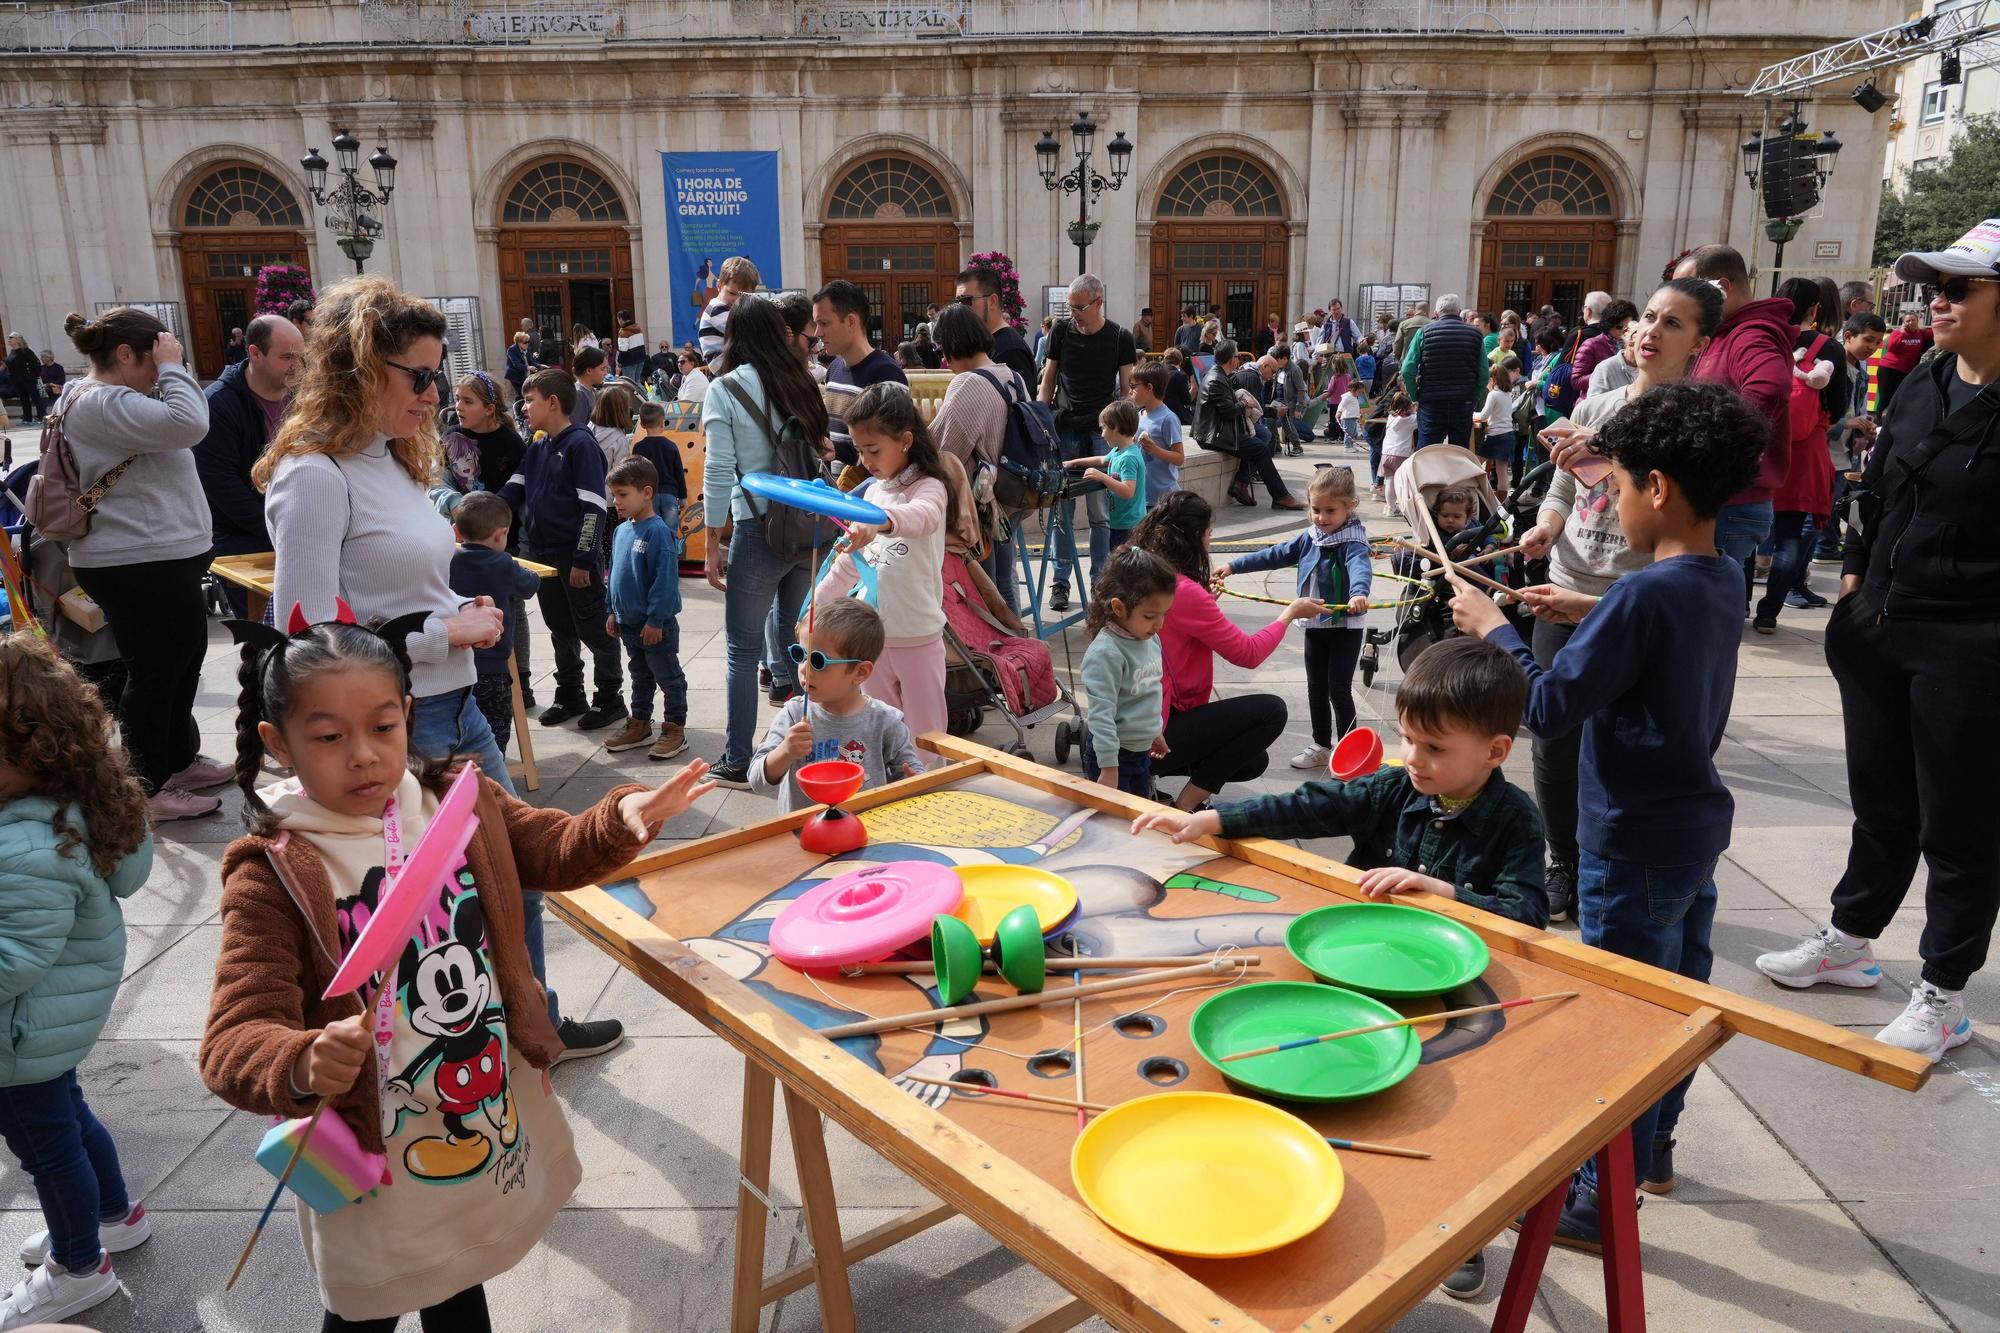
(1207, 1174)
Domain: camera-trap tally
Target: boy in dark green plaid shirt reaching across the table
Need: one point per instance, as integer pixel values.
(1447, 822)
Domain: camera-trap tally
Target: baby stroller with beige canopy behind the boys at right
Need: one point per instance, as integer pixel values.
(1419, 481)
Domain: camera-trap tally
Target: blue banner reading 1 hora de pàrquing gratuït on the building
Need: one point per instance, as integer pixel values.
(719, 205)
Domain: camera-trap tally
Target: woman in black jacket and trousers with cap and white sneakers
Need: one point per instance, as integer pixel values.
(1917, 657)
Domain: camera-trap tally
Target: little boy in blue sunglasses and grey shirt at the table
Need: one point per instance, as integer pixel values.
(831, 718)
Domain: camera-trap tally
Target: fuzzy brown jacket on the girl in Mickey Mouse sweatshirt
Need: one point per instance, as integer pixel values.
(281, 946)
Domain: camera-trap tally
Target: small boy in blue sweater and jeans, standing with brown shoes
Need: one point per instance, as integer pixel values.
(645, 609)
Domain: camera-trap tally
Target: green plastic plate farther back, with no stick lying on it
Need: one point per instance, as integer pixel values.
(1385, 950)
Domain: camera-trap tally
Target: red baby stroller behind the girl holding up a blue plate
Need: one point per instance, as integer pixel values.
(993, 663)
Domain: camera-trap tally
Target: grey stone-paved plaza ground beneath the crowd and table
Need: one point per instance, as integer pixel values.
(1809, 1200)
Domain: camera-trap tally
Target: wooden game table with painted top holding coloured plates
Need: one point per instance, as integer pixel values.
(1509, 1106)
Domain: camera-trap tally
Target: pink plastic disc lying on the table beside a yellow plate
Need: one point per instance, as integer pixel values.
(865, 916)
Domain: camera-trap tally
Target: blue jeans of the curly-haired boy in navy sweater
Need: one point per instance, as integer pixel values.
(1661, 916)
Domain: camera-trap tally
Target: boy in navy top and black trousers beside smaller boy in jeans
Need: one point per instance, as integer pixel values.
(561, 495)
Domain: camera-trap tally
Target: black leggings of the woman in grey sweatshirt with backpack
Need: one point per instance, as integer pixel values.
(159, 619)
